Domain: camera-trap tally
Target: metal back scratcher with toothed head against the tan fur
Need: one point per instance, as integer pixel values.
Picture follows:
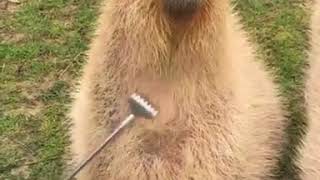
(140, 107)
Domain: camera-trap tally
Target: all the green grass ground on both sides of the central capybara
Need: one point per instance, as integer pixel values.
(42, 49)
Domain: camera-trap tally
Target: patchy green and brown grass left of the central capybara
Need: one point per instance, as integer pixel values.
(41, 50)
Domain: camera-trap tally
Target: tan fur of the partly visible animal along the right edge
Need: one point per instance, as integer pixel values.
(309, 161)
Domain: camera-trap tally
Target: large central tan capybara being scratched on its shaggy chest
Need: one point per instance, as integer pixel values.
(219, 114)
